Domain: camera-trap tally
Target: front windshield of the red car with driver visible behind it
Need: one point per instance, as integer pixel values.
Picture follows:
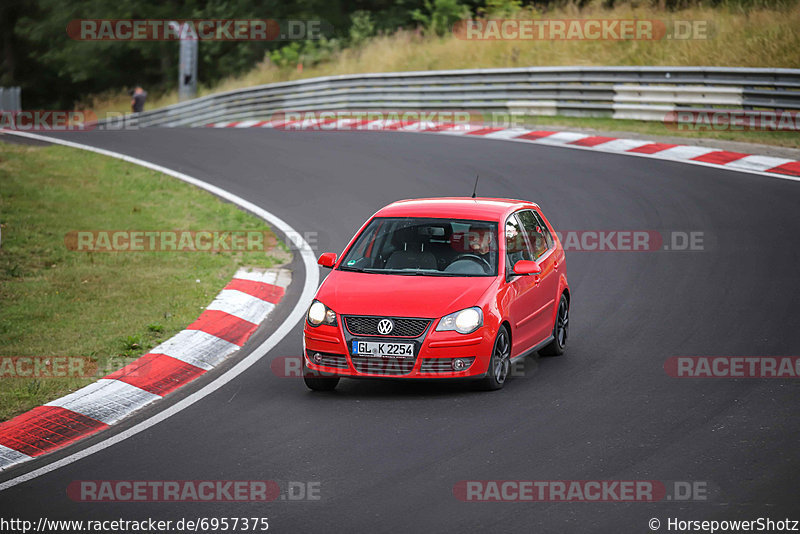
(425, 247)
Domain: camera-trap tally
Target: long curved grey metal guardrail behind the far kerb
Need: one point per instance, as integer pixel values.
(645, 93)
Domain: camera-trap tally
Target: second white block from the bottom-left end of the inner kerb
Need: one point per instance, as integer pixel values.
(106, 400)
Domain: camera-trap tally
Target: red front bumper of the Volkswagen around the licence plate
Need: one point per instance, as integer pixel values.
(328, 350)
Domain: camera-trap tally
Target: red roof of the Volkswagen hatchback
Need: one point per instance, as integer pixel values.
(480, 208)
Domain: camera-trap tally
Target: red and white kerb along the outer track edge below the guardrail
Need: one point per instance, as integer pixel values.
(713, 157)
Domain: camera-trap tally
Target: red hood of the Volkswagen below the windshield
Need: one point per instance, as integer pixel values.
(349, 293)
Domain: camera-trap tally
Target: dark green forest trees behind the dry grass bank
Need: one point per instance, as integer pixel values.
(56, 72)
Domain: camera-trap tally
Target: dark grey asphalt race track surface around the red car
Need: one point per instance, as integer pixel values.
(387, 454)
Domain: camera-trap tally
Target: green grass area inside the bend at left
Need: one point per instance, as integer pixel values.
(110, 307)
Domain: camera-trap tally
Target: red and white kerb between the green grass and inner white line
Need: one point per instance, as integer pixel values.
(225, 325)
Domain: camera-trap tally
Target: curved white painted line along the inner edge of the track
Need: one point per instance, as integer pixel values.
(298, 312)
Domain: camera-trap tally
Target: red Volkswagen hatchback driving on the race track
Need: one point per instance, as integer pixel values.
(439, 288)
